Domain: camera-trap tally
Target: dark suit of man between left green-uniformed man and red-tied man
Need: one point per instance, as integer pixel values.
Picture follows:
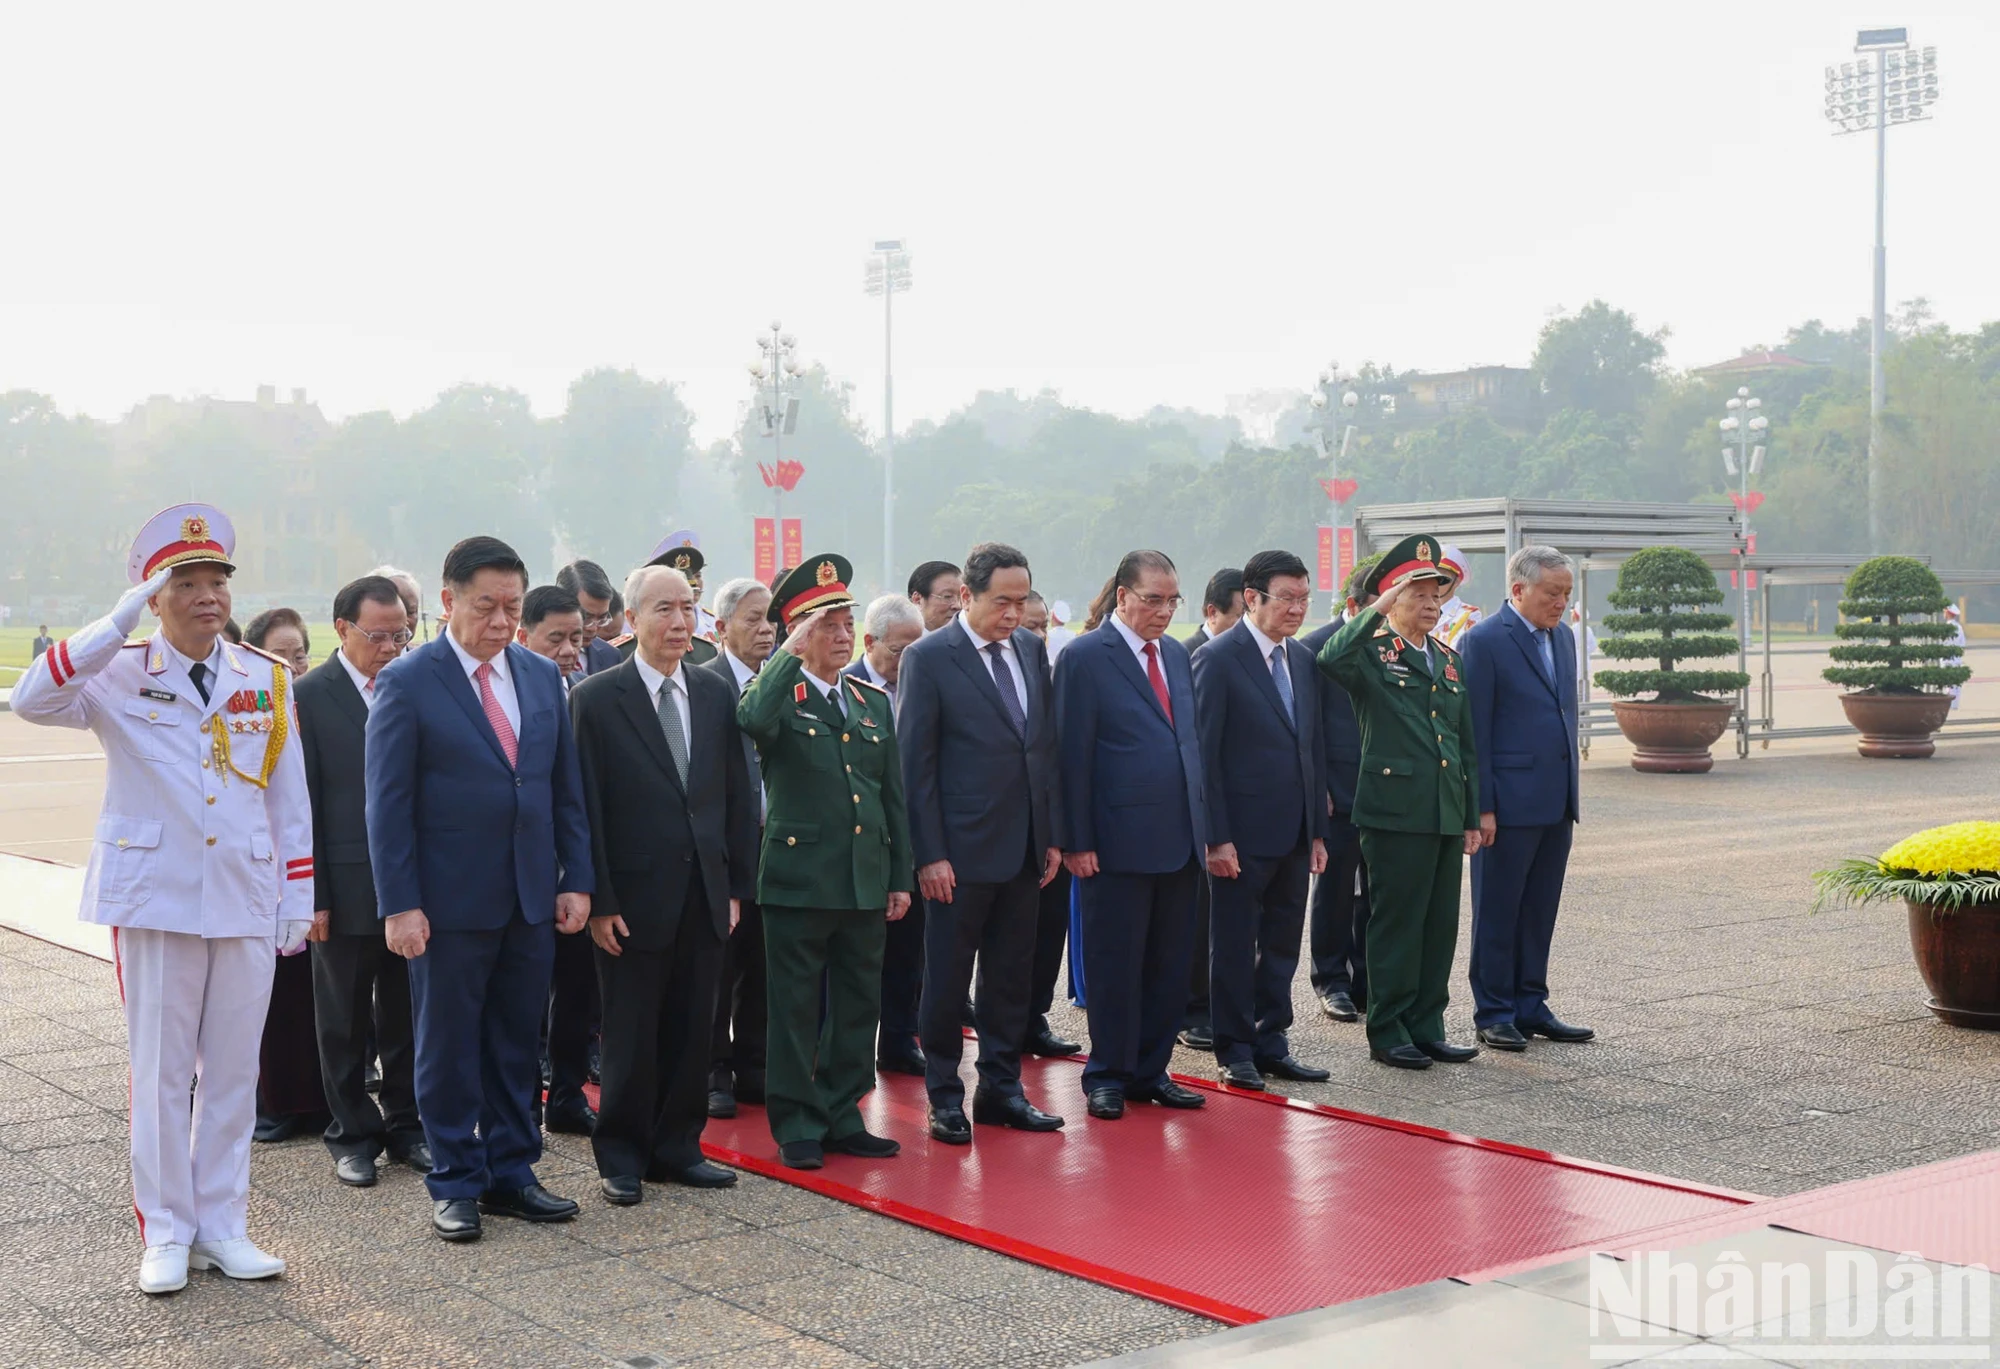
(981, 792)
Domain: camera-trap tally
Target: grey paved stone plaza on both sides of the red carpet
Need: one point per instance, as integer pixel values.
(1743, 1044)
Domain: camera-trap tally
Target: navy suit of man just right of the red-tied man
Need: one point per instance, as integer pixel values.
(1267, 784)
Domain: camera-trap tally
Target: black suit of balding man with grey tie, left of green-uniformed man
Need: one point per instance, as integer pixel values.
(673, 854)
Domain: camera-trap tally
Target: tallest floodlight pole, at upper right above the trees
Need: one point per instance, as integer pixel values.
(1897, 87)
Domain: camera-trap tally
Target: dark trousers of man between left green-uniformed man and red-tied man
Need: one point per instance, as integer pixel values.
(995, 924)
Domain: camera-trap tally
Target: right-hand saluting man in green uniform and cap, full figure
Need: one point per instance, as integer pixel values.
(1417, 802)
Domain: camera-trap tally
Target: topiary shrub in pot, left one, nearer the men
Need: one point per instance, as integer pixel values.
(1665, 613)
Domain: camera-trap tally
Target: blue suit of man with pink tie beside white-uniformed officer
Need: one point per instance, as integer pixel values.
(483, 850)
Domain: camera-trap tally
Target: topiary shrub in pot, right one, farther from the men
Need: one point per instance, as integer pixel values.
(1899, 669)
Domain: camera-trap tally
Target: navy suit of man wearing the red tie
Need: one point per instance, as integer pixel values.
(1131, 794)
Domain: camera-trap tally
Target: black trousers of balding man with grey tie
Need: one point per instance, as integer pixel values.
(659, 1018)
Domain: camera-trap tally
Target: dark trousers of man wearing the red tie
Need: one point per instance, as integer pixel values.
(1139, 940)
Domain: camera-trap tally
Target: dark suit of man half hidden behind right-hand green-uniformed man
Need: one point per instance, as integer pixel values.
(1339, 922)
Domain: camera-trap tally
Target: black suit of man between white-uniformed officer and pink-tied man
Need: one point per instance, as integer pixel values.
(361, 990)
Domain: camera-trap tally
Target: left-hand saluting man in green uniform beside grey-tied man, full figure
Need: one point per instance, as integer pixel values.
(835, 868)
